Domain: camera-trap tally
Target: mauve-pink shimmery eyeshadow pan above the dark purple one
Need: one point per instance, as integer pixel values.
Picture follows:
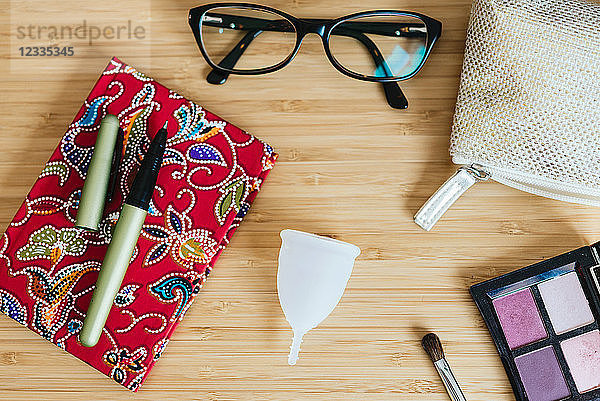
(520, 319)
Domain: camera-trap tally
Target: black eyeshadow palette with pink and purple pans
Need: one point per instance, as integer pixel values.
(544, 320)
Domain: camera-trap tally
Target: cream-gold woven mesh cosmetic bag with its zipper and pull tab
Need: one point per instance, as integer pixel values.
(528, 108)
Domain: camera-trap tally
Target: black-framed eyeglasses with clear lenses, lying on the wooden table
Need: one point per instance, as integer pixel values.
(377, 46)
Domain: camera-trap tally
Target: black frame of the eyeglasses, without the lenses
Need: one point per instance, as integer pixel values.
(323, 28)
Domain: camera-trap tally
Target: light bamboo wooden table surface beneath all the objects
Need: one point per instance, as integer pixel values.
(350, 167)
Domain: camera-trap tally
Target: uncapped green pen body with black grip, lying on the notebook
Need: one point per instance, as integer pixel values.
(124, 239)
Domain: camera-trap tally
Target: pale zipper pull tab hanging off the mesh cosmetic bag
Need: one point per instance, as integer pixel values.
(447, 194)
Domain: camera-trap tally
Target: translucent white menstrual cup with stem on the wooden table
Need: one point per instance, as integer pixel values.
(312, 276)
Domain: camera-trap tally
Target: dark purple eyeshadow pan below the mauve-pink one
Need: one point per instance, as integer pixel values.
(541, 375)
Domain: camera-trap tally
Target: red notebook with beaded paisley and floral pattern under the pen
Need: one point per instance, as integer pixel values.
(211, 173)
